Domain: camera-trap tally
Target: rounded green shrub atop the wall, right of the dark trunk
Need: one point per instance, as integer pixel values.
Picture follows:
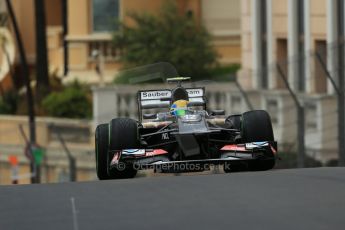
(71, 102)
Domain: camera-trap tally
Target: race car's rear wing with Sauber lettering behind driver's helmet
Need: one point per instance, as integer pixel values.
(155, 99)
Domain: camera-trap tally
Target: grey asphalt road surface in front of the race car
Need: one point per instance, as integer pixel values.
(281, 199)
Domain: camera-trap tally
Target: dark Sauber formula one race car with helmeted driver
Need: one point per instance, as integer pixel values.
(186, 137)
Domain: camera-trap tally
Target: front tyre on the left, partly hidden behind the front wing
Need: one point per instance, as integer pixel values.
(123, 135)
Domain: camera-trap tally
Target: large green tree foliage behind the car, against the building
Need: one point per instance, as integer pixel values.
(167, 37)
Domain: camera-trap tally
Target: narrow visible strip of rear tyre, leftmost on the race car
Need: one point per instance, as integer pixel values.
(101, 145)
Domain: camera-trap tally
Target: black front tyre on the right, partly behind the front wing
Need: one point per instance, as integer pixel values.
(257, 126)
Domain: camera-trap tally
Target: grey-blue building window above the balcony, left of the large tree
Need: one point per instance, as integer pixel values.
(104, 15)
